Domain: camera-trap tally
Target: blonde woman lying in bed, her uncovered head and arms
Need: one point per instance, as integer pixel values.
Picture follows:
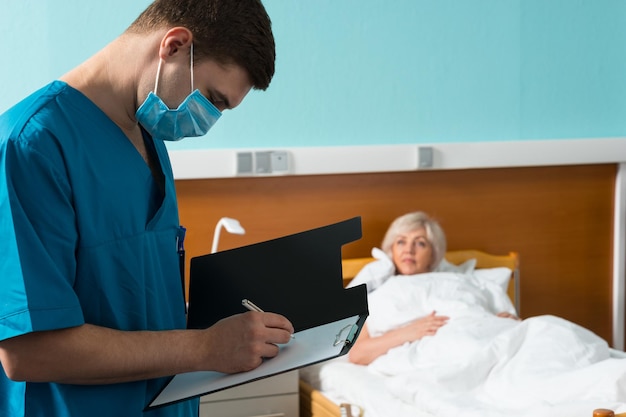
(416, 244)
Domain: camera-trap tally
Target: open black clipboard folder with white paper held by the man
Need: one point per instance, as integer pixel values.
(298, 276)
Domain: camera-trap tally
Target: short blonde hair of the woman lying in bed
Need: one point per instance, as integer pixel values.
(412, 221)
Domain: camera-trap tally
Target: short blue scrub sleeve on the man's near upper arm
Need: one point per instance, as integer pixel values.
(37, 269)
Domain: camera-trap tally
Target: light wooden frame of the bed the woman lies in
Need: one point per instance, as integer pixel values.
(314, 404)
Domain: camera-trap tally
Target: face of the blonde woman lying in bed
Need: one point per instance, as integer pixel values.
(412, 252)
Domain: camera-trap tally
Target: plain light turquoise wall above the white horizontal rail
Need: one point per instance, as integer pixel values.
(371, 72)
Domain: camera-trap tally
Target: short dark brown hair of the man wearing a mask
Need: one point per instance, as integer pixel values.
(229, 31)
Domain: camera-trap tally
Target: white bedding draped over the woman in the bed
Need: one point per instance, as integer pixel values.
(477, 364)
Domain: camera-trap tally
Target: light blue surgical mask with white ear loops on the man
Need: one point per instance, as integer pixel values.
(193, 117)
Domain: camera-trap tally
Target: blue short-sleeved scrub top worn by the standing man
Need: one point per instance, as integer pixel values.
(87, 236)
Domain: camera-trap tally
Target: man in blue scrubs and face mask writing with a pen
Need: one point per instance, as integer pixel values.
(92, 316)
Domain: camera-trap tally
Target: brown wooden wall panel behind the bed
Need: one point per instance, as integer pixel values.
(558, 219)
